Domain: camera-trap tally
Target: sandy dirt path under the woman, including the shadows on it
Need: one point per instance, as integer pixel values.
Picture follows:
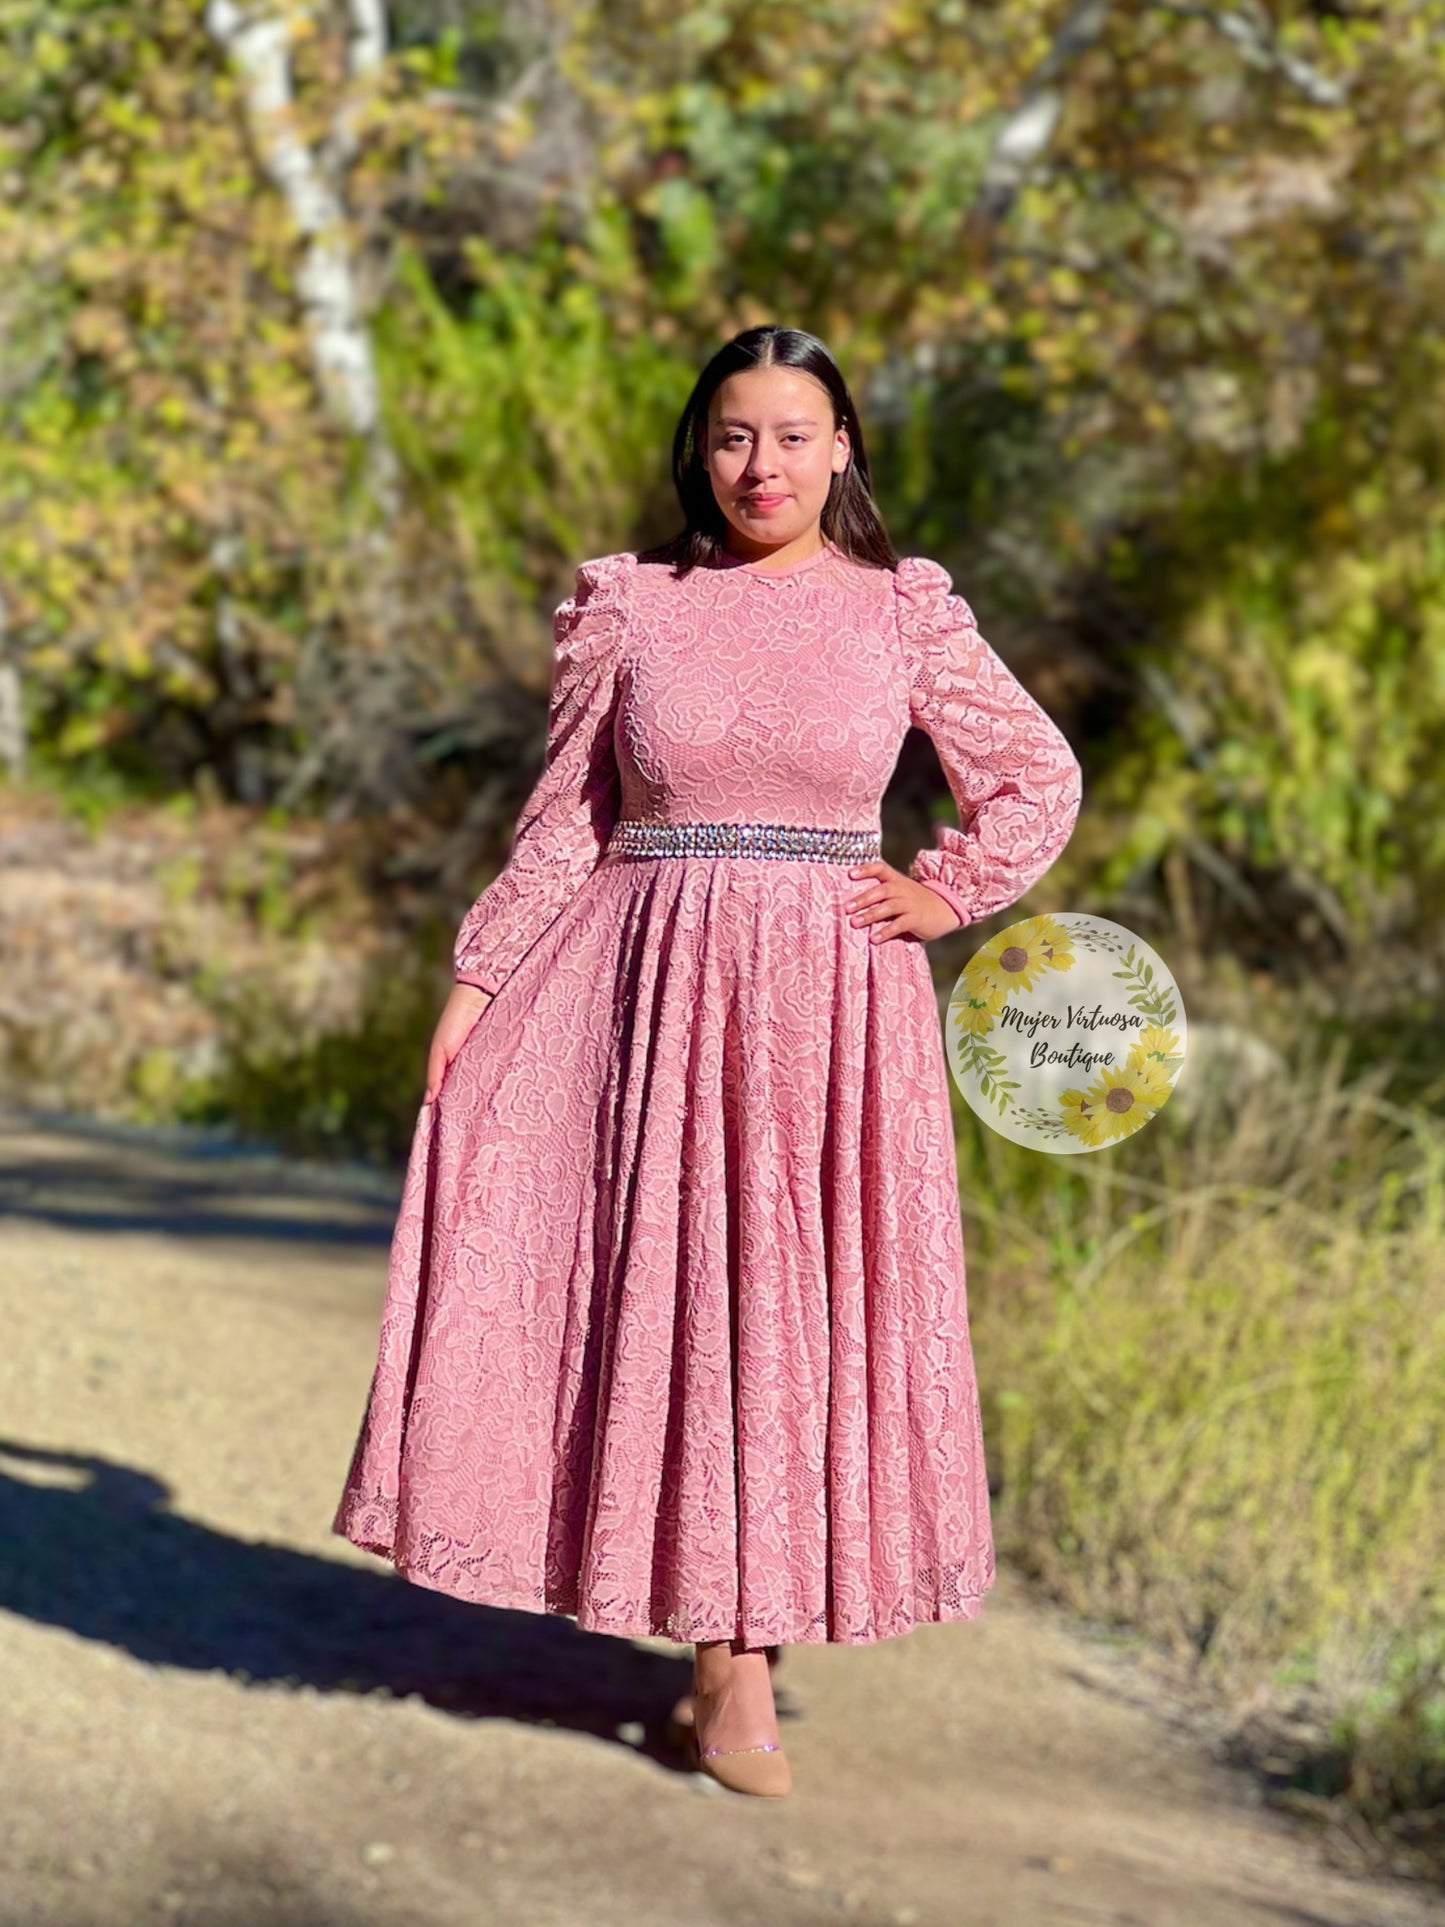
(221, 1714)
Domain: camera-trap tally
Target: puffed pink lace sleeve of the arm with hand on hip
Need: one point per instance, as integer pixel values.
(1011, 770)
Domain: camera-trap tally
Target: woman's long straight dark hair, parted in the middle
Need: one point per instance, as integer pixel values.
(851, 517)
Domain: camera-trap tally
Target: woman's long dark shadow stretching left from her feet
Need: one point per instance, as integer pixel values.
(92, 1546)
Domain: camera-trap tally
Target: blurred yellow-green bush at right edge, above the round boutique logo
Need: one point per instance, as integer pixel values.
(1298, 693)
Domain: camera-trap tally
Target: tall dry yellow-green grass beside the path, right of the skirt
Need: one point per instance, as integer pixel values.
(1213, 1365)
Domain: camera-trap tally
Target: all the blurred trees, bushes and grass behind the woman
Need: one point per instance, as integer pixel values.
(334, 336)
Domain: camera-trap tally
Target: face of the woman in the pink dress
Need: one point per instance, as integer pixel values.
(774, 454)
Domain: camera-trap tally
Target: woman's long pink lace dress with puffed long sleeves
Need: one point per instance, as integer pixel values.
(675, 1334)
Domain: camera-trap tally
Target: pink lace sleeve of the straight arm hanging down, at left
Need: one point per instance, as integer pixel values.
(567, 820)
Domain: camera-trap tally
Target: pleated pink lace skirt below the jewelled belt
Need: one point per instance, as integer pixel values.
(675, 1334)
